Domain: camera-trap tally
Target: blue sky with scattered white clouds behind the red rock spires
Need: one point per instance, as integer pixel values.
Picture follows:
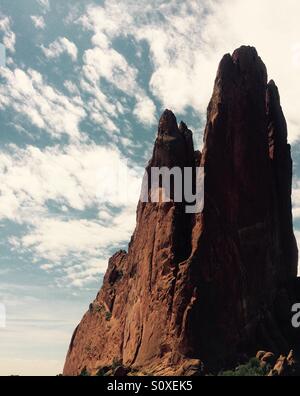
(80, 96)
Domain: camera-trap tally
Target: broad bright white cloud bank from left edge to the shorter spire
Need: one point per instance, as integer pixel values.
(78, 176)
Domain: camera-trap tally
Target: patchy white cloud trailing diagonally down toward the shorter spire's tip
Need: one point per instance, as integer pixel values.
(104, 62)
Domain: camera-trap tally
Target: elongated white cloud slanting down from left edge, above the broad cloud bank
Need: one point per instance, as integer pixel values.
(45, 107)
